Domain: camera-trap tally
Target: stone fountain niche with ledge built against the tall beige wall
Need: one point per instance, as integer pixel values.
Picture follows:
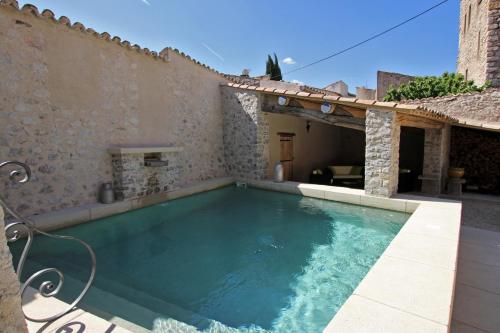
(142, 171)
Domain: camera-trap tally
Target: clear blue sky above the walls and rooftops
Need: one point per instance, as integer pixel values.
(230, 35)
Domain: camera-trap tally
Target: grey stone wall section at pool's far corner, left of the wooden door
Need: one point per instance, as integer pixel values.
(246, 134)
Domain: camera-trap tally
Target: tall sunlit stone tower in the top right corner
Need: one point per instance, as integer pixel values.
(479, 42)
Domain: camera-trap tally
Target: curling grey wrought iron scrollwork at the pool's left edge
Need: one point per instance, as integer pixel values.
(22, 226)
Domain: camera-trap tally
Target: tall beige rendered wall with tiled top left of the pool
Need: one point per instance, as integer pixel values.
(67, 96)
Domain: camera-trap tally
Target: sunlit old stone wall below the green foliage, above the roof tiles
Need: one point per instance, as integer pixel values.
(483, 107)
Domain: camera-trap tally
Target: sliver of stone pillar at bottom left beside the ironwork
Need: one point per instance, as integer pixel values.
(11, 315)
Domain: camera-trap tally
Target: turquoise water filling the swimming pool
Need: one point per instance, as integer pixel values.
(228, 260)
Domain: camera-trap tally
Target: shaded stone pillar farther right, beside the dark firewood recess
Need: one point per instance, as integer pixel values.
(436, 159)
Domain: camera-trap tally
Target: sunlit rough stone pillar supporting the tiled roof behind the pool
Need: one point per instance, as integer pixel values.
(382, 153)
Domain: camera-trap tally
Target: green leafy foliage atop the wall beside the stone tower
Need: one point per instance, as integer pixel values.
(433, 86)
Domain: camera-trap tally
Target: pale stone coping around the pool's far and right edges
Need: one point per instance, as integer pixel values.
(410, 288)
